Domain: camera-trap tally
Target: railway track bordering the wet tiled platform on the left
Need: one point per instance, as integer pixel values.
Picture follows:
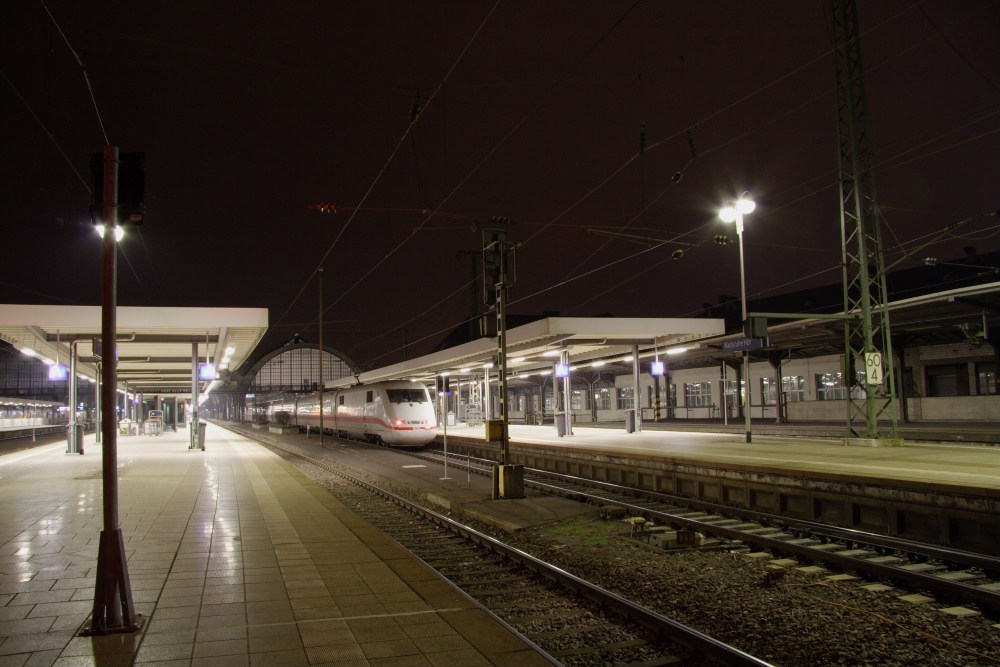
(573, 622)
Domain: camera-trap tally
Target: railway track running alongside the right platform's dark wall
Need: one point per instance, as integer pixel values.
(959, 577)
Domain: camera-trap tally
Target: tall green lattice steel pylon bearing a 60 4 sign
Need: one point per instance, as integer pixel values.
(866, 330)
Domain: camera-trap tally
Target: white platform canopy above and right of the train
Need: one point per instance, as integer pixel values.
(535, 347)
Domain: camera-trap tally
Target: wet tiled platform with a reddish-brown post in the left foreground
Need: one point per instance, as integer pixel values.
(234, 558)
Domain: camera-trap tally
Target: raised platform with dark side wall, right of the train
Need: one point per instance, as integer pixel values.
(944, 493)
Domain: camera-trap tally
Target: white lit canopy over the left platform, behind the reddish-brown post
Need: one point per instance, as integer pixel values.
(156, 346)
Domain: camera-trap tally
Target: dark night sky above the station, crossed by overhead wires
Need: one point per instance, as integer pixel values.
(600, 129)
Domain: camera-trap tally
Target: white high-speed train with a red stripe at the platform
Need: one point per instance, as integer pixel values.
(396, 413)
